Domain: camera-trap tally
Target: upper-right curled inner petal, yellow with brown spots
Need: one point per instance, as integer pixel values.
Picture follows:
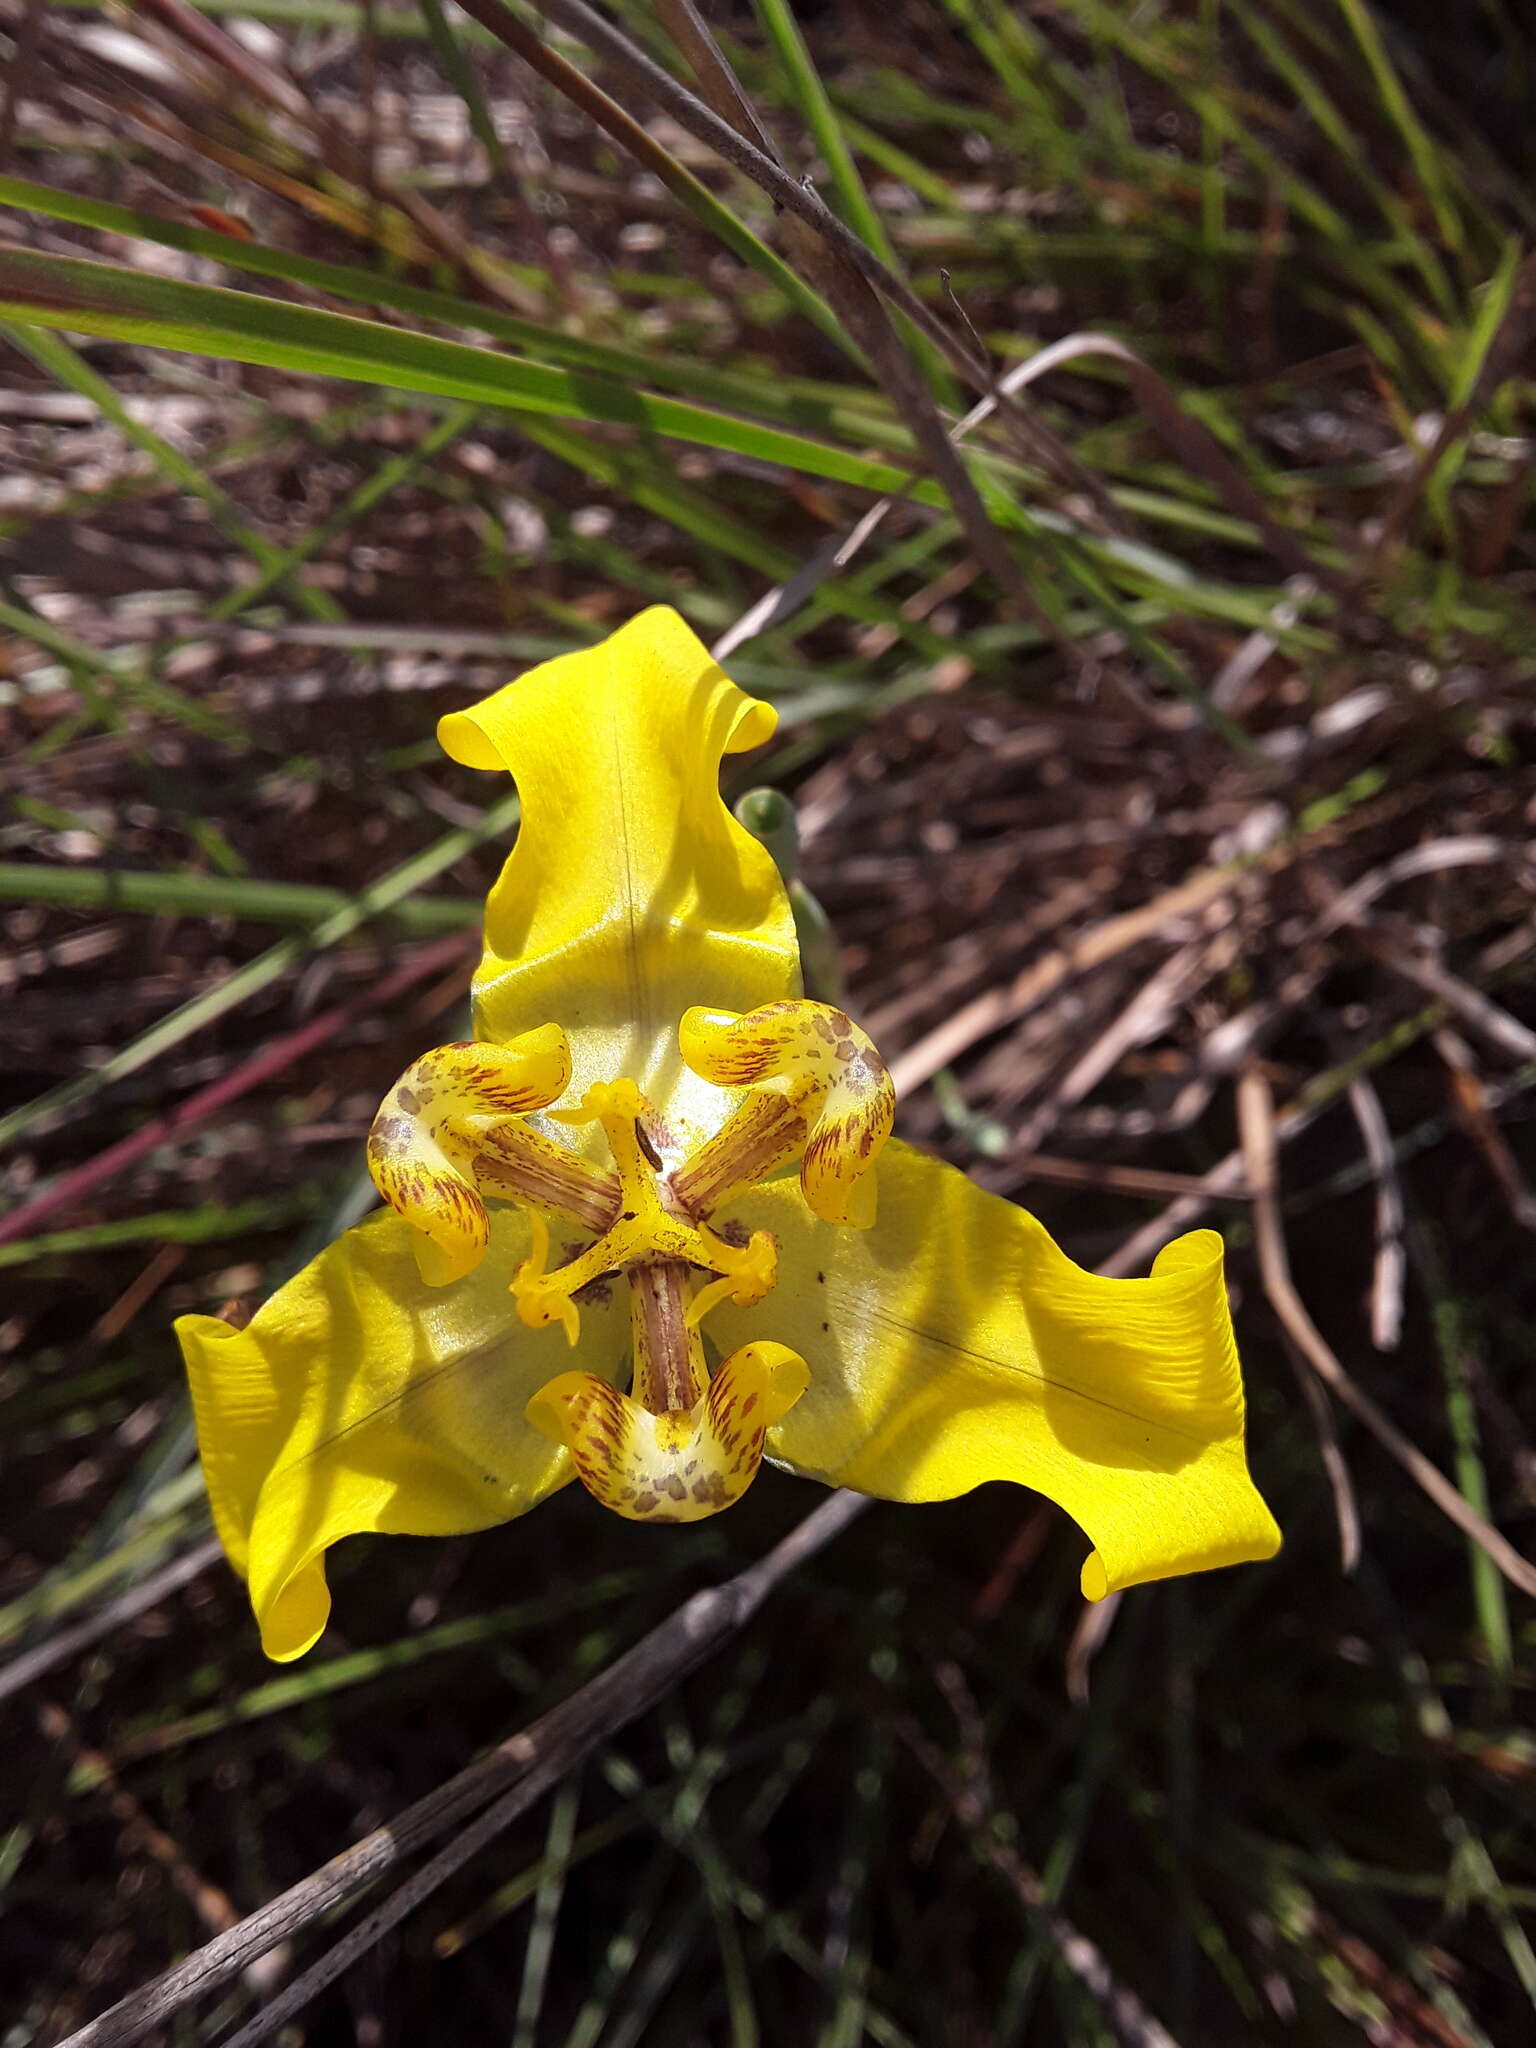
(820, 1091)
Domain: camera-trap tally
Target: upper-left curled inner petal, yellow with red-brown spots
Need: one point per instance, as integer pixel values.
(452, 1132)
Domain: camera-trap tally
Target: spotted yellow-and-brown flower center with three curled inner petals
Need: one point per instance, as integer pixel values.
(452, 1134)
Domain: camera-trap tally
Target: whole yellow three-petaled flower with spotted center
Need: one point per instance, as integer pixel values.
(546, 1293)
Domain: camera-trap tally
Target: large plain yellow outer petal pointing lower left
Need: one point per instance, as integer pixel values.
(359, 1400)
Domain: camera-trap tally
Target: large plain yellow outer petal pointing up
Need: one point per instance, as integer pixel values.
(632, 894)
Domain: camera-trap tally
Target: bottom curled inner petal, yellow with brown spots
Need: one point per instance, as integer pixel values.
(681, 1465)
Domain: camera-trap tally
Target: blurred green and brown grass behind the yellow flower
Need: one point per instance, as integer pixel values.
(1166, 773)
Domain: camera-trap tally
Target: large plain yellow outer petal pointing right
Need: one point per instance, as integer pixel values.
(955, 1342)
